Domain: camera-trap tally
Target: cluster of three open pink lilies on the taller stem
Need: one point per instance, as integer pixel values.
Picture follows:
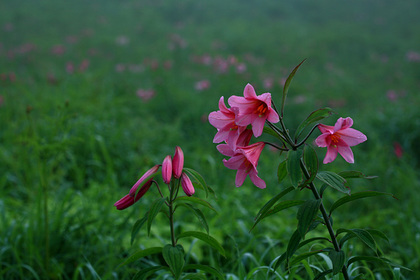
(232, 123)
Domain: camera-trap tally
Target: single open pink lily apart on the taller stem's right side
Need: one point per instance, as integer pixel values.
(338, 139)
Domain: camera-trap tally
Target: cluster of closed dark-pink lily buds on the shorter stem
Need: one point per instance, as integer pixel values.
(172, 169)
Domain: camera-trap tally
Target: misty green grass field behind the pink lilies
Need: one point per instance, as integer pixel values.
(78, 138)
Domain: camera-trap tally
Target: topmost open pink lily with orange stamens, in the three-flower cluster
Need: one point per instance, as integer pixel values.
(253, 109)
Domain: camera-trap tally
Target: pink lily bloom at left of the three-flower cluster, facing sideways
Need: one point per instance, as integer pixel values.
(224, 121)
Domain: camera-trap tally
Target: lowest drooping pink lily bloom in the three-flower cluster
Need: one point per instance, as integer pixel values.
(245, 160)
